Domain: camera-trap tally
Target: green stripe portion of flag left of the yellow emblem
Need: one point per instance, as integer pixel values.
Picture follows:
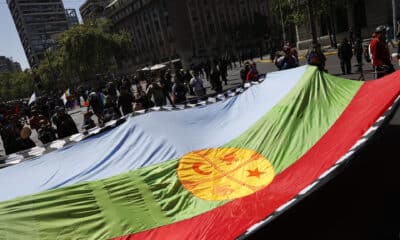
(103, 209)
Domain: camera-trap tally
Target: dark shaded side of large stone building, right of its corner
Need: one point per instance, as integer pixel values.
(226, 27)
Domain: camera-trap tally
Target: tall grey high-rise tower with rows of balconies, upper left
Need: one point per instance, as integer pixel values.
(37, 23)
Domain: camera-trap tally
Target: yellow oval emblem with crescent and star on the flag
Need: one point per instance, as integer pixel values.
(225, 173)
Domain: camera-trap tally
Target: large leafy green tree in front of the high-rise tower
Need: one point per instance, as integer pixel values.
(82, 52)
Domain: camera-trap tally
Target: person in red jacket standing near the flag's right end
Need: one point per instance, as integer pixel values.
(380, 53)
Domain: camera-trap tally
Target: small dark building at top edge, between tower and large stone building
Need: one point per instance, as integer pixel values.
(93, 9)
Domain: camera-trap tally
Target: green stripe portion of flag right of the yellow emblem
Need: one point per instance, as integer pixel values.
(295, 124)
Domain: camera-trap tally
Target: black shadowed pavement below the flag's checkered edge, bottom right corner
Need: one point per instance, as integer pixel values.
(362, 202)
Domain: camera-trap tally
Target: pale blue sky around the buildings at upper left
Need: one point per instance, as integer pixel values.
(10, 44)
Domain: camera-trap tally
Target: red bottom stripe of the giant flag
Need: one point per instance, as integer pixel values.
(232, 219)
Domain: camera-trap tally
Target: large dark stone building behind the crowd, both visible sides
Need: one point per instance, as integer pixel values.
(192, 30)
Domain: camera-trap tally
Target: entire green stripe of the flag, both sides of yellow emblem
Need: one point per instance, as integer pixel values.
(153, 196)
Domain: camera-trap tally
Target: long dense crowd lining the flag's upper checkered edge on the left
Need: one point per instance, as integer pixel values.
(48, 115)
